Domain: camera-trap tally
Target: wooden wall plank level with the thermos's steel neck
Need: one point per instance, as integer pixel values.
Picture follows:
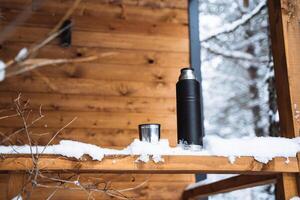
(108, 72)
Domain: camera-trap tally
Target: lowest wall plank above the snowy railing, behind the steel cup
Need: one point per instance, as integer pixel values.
(109, 138)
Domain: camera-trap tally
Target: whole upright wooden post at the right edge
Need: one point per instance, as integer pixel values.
(285, 35)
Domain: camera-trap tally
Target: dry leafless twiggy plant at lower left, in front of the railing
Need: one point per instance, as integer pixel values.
(35, 177)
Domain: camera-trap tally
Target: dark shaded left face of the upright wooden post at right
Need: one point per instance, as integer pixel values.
(281, 69)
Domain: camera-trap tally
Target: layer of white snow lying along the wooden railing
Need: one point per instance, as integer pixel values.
(263, 149)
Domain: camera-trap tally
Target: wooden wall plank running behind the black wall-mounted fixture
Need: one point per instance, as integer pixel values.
(106, 40)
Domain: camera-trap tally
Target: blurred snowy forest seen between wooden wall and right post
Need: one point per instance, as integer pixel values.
(238, 76)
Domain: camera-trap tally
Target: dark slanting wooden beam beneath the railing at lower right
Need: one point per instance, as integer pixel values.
(228, 185)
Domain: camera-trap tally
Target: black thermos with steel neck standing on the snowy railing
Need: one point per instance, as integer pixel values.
(189, 128)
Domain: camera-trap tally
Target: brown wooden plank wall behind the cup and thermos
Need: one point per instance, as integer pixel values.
(112, 95)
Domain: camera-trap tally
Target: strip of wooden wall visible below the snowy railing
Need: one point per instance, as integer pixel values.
(149, 184)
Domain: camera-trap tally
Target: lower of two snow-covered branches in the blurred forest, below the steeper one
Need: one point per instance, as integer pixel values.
(234, 54)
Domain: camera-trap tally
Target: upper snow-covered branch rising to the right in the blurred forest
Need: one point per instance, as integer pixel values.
(227, 28)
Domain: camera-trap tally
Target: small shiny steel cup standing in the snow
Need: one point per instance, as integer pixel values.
(149, 132)
